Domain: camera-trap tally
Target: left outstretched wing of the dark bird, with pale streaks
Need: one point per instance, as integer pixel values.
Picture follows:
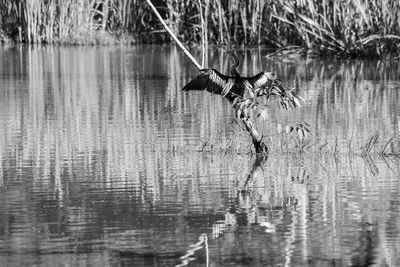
(212, 81)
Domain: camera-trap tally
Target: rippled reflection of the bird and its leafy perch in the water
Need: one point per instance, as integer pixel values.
(252, 206)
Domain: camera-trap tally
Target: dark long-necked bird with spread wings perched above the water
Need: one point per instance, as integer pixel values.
(234, 87)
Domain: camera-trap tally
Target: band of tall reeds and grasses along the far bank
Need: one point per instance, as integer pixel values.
(346, 28)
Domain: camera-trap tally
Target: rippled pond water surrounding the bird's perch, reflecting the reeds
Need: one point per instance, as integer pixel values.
(98, 164)
